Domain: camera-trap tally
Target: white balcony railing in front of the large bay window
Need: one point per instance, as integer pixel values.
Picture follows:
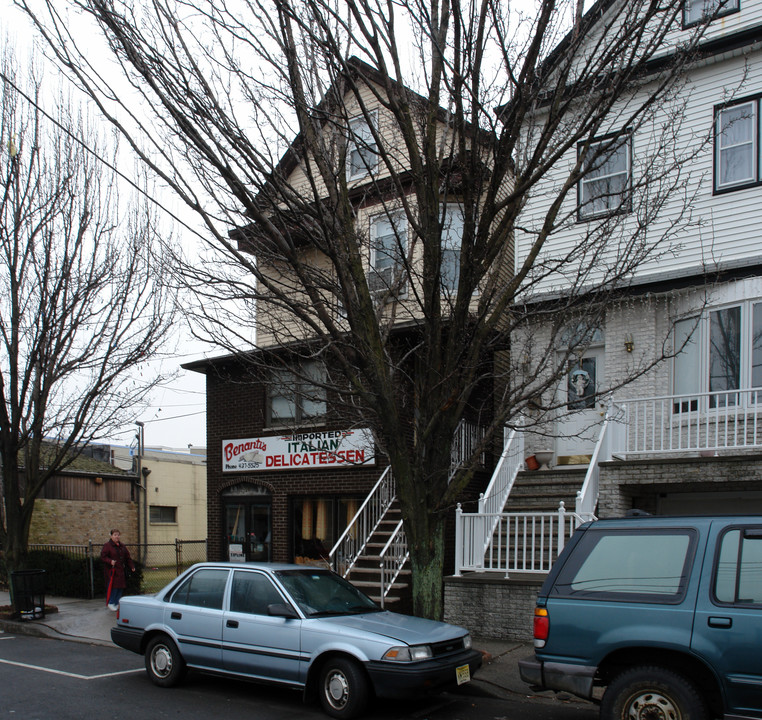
(727, 420)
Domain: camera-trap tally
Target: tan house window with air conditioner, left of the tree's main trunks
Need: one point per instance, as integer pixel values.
(388, 234)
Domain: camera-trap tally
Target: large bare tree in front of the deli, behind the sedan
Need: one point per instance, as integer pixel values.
(257, 114)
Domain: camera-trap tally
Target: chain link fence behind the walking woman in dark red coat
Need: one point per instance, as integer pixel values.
(76, 570)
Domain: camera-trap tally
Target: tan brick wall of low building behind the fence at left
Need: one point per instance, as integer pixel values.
(75, 522)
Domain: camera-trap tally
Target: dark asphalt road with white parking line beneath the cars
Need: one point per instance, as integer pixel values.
(45, 679)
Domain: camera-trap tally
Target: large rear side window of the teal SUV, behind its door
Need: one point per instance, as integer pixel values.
(610, 565)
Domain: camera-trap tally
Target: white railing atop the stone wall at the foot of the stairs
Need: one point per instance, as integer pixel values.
(520, 543)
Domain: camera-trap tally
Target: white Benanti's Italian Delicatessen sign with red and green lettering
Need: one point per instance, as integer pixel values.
(302, 451)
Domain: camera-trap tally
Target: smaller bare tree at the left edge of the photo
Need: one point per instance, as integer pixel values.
(81, 310)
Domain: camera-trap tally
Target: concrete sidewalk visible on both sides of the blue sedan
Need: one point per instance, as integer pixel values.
(90, 621)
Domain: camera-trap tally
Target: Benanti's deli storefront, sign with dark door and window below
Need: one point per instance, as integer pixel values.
(290, 497)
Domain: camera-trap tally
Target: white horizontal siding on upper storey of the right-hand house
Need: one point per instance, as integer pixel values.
(719, 231)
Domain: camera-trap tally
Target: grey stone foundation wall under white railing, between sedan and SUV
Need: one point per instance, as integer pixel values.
(491, 606)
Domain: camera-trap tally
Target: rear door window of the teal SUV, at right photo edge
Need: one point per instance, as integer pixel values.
(738, 573)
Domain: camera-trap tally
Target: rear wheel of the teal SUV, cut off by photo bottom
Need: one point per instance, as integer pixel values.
(652, 693)
